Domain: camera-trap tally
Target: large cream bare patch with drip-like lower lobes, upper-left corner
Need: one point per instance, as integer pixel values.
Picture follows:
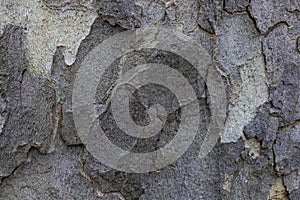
(47, 28)
